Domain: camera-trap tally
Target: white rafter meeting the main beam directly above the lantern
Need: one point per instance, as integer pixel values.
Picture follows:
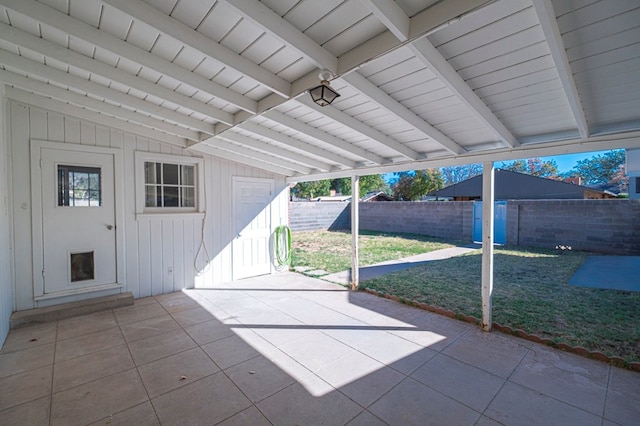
(289, 35)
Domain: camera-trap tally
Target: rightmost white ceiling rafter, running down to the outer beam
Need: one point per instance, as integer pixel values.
(549, 25)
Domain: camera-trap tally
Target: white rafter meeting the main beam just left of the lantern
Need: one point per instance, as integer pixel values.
(192, 38)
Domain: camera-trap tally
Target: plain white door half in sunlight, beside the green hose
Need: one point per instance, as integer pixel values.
(251, 226)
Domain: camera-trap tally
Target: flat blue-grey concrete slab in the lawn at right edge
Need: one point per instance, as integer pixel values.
(611, 272)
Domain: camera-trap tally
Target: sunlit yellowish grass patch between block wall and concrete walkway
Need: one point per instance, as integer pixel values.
(331, 251)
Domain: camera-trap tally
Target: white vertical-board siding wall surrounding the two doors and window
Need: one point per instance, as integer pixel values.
(159, 252)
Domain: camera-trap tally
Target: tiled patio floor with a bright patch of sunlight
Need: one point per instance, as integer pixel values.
(292, 350)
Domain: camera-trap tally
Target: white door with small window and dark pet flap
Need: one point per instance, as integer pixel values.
(78, 220)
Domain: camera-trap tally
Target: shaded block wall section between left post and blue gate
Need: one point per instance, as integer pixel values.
(437, 219)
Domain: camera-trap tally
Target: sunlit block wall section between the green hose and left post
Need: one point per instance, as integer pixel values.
(311, 216)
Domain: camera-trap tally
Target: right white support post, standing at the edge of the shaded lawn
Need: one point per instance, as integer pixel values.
(487, 242)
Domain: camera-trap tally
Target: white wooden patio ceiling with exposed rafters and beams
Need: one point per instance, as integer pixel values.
(423, 83)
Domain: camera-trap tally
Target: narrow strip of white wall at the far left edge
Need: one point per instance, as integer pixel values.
(6, 284)
